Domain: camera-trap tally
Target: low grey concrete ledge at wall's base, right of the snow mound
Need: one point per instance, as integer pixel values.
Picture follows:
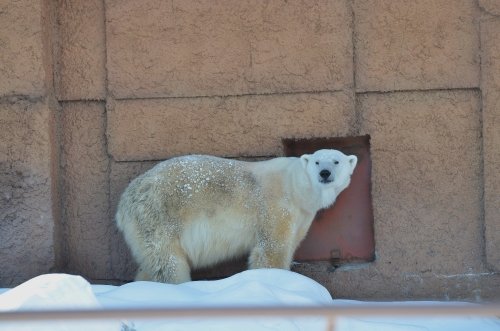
(367, 281)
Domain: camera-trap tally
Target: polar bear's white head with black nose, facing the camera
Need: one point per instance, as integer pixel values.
(331, 170)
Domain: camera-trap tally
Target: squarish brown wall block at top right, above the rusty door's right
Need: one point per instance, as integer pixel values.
(412, 45)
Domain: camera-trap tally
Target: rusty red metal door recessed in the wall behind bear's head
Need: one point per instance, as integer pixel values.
(343, 232)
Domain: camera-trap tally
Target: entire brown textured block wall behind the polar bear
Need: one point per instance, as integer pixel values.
(108, 88)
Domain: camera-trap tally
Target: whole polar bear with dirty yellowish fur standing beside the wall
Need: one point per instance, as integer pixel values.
(195, 211)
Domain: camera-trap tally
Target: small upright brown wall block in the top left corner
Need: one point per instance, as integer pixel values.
(21, 44)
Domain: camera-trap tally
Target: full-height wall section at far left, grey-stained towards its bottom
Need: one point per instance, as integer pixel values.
(29, 201)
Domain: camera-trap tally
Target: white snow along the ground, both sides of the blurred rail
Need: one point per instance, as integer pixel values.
(265, 287)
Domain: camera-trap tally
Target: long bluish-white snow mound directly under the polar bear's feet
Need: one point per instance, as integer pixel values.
(263, 287)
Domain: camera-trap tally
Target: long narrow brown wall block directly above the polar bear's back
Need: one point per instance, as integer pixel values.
(156, 129)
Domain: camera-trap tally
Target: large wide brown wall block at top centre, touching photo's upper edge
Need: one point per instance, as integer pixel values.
(192, 48)
